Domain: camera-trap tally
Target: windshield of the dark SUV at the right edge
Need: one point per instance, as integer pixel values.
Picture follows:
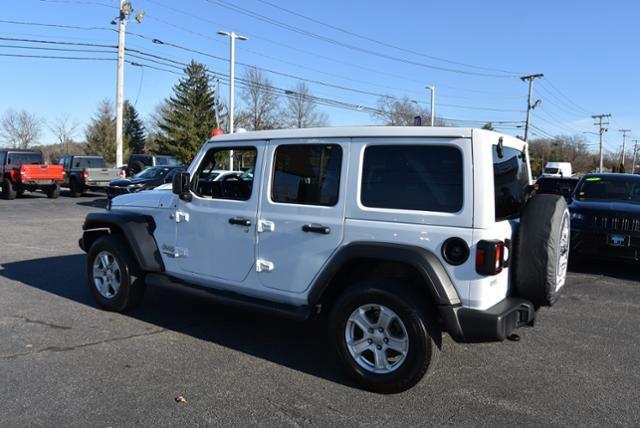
(612, 188)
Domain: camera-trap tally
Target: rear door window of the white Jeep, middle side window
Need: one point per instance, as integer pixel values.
(307, 174)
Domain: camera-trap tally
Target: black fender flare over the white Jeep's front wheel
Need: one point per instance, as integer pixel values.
(137, 230)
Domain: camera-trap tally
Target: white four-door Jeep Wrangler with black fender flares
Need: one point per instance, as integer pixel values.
(399, 234)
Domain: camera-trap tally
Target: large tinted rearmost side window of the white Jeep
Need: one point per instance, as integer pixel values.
(410, 177)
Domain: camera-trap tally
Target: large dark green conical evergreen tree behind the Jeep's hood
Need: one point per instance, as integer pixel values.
(189, 116)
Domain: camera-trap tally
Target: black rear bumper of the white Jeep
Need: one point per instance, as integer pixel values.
(494, 324)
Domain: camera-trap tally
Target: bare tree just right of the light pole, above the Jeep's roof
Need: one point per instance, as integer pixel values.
(260, 103)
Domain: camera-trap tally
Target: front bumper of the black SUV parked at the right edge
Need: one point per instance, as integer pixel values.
(594, 244)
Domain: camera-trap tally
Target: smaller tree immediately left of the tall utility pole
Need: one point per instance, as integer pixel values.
(101, 133)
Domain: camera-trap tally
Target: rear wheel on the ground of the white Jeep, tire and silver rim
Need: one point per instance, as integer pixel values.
(406, 308)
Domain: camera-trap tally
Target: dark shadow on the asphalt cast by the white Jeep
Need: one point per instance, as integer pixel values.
(301, 346)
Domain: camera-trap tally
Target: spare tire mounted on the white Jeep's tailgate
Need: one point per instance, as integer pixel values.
(542, 252)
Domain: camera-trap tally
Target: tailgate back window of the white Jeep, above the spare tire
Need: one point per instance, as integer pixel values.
(510, 178)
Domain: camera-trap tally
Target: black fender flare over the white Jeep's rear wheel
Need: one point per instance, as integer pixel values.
(427, 264)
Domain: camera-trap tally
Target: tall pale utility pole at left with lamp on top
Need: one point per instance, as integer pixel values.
(125, 10)
